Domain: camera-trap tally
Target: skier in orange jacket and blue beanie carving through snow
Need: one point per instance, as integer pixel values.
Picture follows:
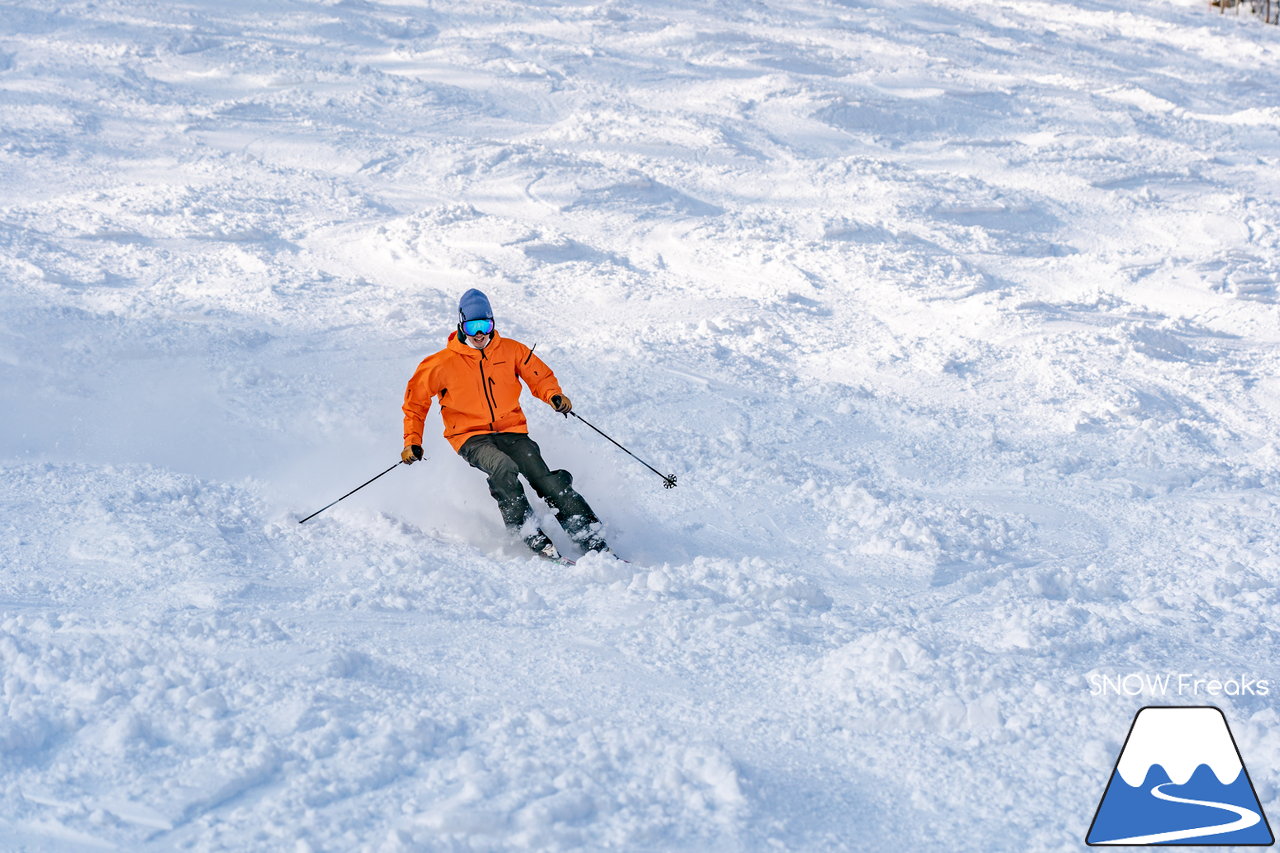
(477, 378)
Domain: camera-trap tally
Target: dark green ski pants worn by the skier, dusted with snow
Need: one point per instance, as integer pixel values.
(504, 457)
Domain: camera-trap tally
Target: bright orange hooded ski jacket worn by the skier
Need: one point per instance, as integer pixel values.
(479, 390)
